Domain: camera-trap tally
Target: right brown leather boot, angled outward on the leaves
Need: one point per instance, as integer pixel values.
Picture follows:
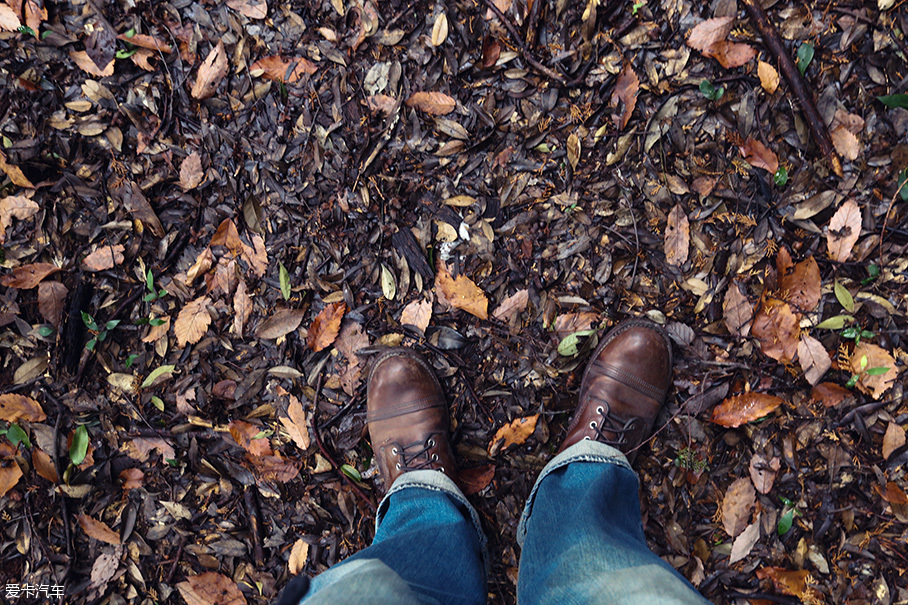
(623, 388)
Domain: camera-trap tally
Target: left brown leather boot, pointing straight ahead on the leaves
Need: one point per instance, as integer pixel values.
(407, 416)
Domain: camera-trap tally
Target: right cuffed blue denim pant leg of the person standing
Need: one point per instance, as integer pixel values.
(582, 536)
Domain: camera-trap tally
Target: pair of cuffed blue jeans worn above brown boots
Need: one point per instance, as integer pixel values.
(581, 535)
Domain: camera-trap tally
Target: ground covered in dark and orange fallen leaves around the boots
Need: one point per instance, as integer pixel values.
(239, 203)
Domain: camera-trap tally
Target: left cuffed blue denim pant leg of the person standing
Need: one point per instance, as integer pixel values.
(428, 548)
